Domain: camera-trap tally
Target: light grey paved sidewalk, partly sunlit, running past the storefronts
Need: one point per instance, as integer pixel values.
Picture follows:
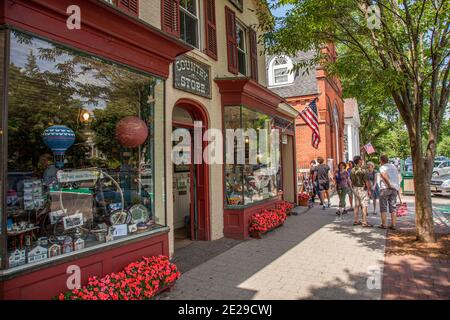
(313, 256)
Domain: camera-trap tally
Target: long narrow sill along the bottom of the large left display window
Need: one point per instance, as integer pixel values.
(77, 254)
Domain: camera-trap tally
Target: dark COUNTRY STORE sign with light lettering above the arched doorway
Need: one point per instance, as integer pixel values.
(192, 76)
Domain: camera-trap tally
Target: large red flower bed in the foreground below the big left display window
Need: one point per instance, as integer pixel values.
(139, 280)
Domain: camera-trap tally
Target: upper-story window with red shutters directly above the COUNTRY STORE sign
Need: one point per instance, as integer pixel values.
(189, 21)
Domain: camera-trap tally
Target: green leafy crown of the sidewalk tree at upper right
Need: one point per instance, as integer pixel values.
(401, 65)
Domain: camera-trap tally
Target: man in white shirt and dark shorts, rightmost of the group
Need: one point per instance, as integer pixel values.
(389, 186)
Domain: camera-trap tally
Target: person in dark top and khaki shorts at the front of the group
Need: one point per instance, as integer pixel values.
(361, 191)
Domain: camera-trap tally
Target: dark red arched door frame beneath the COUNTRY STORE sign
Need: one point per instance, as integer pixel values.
(198, 113)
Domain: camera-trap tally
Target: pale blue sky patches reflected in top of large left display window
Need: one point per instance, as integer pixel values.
(19, 57)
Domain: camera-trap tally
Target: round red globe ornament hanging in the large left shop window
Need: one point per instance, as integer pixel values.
(131, 132)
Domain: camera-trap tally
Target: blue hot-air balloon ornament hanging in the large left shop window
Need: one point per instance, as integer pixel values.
(58, 138)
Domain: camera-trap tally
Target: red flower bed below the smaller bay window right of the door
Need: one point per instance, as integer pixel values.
(269, 219)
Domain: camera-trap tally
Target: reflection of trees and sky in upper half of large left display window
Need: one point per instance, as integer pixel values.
(53, 86)
